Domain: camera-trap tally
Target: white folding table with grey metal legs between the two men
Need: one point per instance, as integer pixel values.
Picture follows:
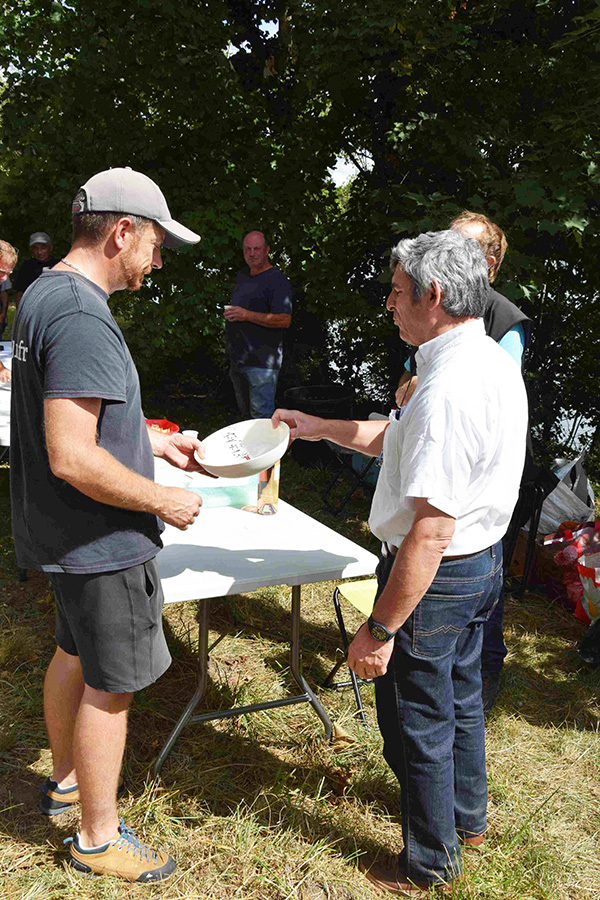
(230, 551)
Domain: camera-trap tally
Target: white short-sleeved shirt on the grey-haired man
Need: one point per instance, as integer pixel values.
(460, 443)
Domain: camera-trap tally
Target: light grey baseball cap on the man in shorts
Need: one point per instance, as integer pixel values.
(126, 191)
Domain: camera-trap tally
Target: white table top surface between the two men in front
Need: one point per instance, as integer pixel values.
(230, 551)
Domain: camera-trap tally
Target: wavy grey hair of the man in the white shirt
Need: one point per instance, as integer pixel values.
(457, 263)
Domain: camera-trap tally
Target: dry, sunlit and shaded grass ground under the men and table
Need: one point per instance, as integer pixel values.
(261, 806)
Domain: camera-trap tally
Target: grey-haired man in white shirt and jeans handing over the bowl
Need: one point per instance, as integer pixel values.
(450, 478)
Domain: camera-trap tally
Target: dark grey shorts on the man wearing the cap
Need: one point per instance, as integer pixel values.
(113, 622)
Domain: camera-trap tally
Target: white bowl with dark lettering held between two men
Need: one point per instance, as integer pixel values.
(244, 448)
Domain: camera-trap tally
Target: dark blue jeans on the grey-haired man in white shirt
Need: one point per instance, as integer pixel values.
(430, 713)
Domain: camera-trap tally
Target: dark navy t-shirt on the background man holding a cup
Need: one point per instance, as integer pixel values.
(249, 344)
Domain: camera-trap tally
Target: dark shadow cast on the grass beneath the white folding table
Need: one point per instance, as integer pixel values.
(260, 763)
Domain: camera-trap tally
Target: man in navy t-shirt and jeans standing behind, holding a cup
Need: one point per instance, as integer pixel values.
(260, 310)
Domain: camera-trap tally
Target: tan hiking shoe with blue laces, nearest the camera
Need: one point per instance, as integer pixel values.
(124, 856)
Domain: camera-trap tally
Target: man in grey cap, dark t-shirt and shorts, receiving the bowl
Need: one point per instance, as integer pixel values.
(86, 508)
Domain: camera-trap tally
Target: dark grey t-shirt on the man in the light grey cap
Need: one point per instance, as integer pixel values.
(66, 343)
